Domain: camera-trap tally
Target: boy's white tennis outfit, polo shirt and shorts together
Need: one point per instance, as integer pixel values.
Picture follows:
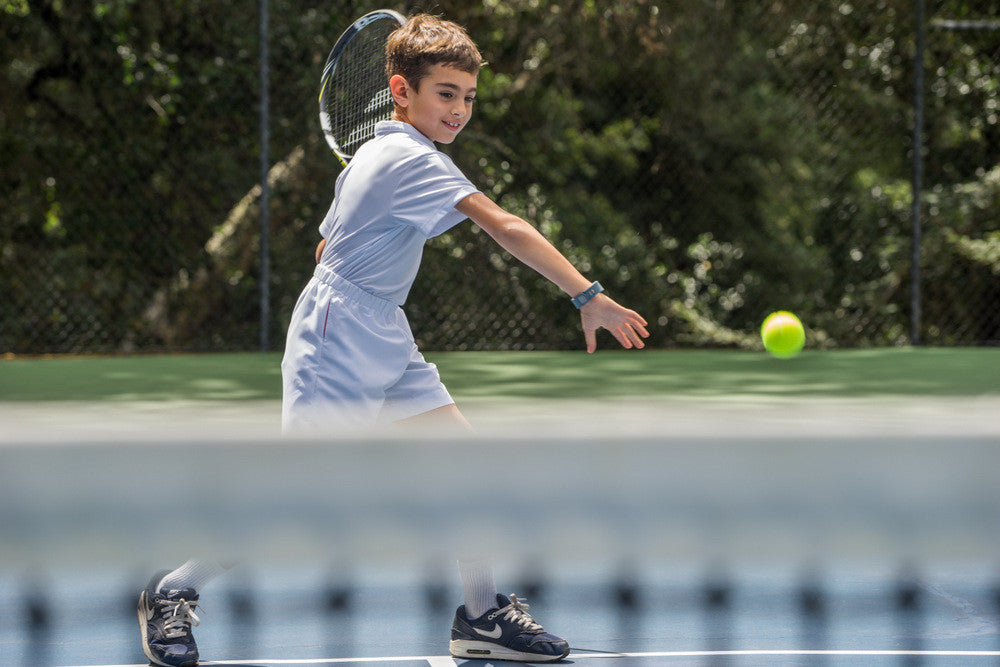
(350, 357)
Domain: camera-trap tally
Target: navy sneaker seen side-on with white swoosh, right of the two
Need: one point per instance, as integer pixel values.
(505, 633)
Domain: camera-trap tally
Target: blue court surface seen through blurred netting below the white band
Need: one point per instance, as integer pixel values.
(659, 614)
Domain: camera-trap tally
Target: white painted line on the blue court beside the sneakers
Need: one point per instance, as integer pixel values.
(446, 661)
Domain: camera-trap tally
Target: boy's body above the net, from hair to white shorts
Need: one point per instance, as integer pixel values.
(397, 192)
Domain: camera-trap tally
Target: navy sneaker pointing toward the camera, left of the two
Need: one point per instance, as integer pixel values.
(165, 619)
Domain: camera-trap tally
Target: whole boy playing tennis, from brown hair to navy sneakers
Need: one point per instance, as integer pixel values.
(350, 359)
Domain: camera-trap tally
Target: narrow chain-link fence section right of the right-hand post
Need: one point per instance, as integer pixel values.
(961, 242)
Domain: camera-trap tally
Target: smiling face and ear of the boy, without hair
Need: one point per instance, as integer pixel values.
(442, 106)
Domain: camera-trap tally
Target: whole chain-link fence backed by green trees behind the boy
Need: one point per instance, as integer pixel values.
(708, 162)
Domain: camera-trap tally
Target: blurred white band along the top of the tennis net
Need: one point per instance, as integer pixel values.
(675, 483)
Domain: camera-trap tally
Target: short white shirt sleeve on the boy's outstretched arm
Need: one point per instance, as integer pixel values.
(427, 193)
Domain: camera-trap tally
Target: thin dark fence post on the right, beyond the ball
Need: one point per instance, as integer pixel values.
(917, 175)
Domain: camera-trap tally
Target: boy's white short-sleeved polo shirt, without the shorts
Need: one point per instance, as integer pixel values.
(397, 192)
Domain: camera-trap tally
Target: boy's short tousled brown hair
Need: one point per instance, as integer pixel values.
(424, 41)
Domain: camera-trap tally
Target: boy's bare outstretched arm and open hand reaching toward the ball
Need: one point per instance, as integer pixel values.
(528, 245)
